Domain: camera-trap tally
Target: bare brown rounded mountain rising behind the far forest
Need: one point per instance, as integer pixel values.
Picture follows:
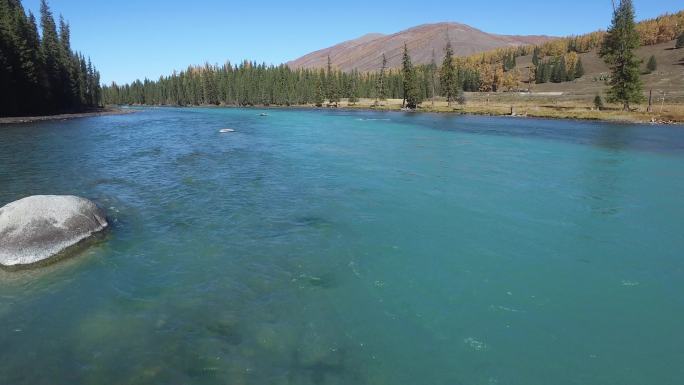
(365, 52)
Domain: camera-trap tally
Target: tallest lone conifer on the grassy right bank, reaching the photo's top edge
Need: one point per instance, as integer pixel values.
(618, 52)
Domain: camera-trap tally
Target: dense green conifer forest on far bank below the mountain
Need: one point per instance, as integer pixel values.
(252, 84)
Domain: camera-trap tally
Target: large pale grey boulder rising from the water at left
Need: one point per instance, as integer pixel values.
(38, 227)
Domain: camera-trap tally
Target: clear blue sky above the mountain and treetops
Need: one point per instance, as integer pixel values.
(130, 39)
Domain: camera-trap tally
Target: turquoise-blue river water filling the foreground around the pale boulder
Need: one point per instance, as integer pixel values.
(313, 247)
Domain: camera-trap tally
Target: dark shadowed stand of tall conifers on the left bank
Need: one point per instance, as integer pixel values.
(40, 73)
